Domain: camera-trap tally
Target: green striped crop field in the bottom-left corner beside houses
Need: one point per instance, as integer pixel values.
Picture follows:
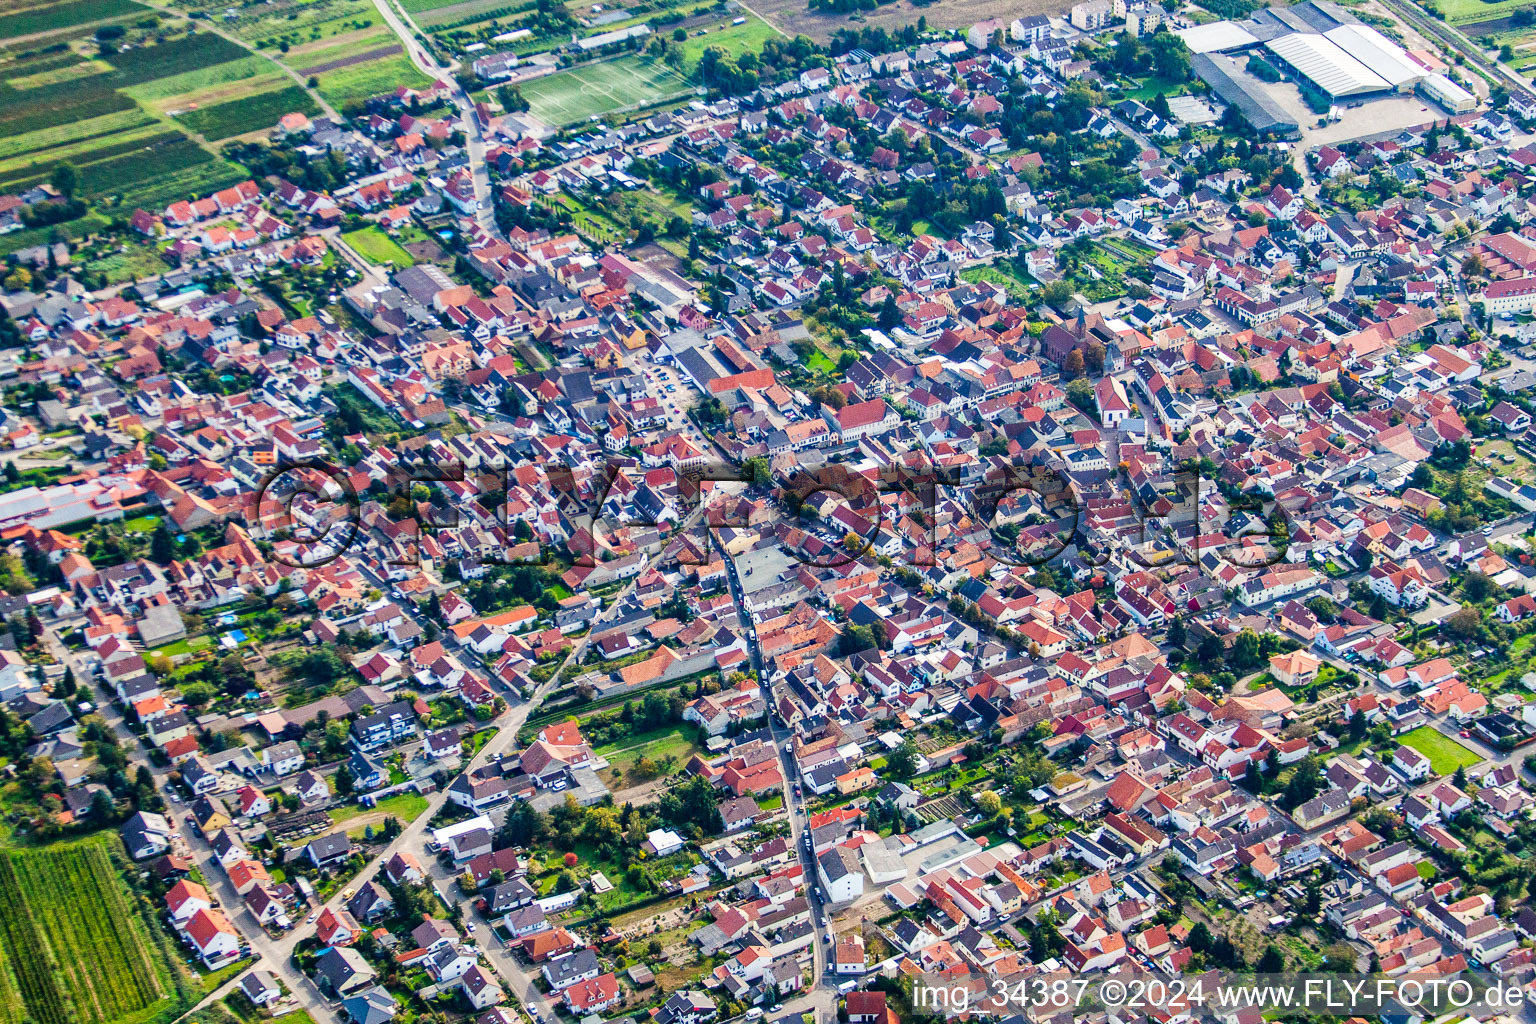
(71, 940)
